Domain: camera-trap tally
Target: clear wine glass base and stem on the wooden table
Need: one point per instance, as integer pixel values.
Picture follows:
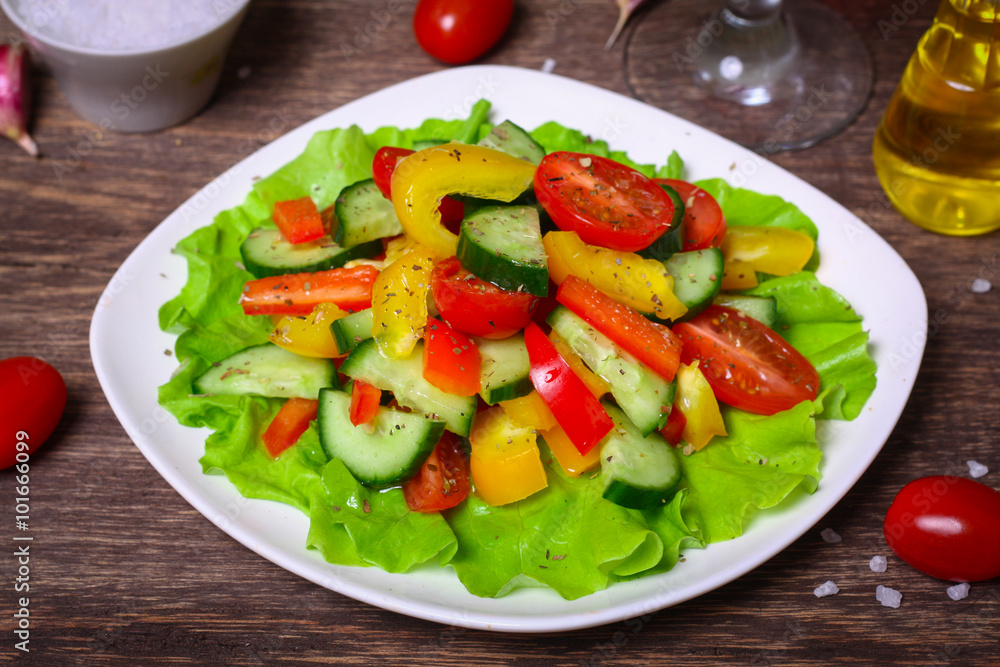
(768, 74)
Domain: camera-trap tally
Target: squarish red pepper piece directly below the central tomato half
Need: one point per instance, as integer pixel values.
(451, 359)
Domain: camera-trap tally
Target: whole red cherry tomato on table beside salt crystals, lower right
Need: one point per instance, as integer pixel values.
(947, 527)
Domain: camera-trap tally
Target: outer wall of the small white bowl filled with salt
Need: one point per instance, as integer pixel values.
(137, 90)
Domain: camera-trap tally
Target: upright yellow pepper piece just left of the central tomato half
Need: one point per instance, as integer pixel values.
(399, 303)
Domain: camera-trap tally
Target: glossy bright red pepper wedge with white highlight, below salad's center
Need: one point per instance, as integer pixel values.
(580, 415)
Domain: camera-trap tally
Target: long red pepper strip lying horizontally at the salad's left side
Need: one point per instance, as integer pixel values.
(298, 293)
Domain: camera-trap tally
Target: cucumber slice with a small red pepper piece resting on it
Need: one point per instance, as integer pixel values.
(387, 451)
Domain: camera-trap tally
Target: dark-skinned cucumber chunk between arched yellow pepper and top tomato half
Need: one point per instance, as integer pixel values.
(503, 245)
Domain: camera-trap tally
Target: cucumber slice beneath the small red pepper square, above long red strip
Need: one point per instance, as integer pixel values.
(267, 253)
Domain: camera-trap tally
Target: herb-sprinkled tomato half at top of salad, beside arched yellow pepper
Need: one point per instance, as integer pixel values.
(606, 203)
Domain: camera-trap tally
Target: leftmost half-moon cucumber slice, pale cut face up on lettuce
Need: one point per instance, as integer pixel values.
(268, 370)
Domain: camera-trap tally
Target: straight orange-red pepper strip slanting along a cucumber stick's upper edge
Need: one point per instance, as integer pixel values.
(653, 344)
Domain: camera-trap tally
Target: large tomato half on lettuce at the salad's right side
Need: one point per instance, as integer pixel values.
(748, 365)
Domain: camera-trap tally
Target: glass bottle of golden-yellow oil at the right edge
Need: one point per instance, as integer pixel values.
(937, 150)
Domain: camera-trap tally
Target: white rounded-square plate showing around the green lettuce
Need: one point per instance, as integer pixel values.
(128, 350)
